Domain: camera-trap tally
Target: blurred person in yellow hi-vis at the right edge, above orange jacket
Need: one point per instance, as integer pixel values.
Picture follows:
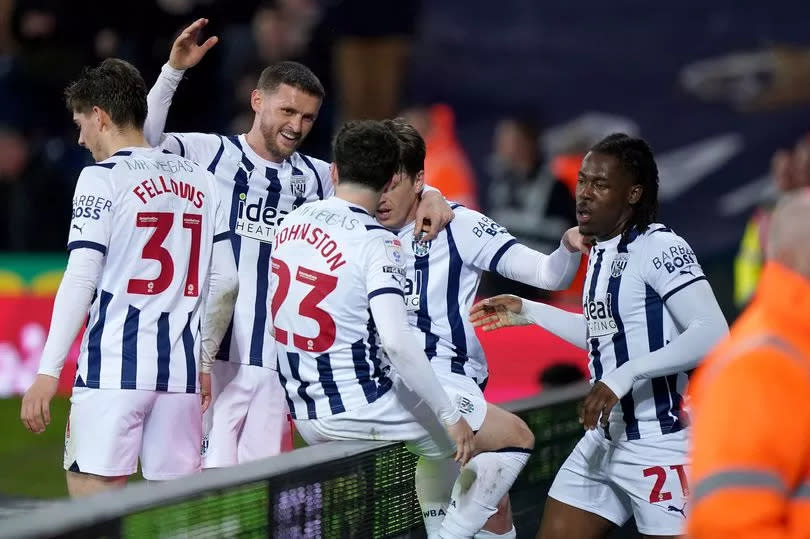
(789, 171)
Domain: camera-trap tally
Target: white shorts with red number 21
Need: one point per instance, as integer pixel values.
(616, 480)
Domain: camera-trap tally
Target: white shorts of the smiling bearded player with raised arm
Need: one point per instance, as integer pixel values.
(248, 417)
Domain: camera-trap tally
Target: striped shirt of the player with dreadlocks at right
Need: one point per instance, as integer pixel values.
(629, 280)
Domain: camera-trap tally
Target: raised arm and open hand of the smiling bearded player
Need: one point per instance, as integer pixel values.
(185, 53)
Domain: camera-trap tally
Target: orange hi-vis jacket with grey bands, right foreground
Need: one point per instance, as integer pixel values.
(751, 420)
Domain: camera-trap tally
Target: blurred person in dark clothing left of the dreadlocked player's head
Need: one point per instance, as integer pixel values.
(524, 196)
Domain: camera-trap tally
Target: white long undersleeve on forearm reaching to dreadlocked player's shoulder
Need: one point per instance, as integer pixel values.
(551, 272)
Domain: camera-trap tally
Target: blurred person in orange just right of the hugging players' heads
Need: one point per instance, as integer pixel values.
(447, 167)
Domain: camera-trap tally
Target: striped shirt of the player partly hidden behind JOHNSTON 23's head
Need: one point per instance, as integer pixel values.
(443, 278)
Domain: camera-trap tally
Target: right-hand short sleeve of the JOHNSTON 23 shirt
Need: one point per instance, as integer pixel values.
(385, 265)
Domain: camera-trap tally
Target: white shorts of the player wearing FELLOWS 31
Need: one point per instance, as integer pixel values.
(108, 429)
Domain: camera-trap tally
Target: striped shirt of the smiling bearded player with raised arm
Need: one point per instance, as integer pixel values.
(257, 195)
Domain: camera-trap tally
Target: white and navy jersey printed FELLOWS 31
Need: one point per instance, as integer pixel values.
(155, 217)
